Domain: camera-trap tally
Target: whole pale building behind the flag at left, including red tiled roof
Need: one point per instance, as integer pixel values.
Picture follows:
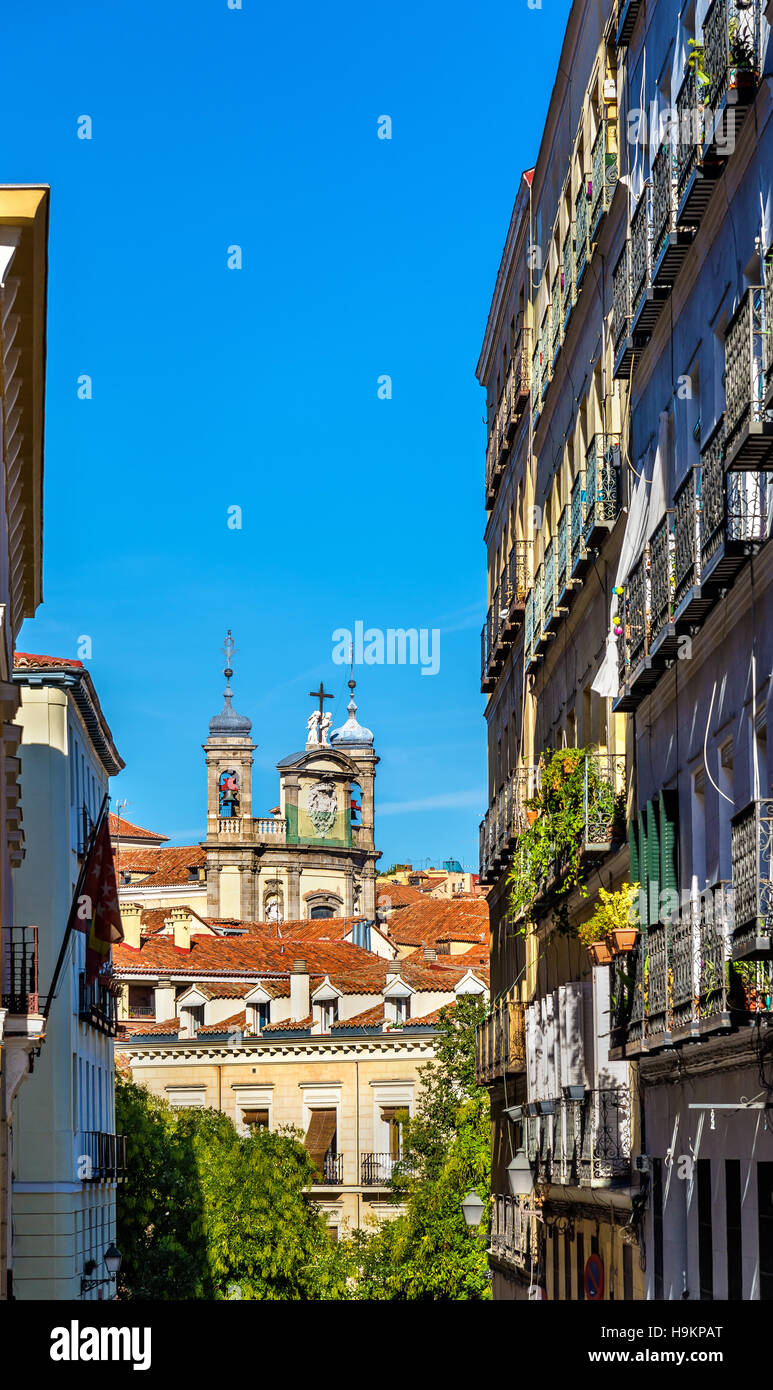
(67, 1157)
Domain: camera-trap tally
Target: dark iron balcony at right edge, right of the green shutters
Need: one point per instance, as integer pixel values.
(751, 832)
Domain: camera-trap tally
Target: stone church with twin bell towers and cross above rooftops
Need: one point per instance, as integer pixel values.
(315, 856)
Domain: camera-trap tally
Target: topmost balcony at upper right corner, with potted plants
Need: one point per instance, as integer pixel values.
(731, 62)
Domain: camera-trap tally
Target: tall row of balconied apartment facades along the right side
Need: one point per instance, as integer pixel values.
(628, 368)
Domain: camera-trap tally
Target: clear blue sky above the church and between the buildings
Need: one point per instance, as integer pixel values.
(258, 387)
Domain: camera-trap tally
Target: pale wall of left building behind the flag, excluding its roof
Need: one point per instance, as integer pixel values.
(72, 1089)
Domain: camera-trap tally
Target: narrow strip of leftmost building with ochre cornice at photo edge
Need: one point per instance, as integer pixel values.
(24, 236)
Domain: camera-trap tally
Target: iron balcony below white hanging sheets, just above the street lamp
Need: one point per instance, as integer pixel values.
(583, 1143)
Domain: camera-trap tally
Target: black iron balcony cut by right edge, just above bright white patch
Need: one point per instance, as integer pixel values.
(749, 420)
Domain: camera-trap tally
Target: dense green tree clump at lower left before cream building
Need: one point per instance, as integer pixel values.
(211, 1214)
